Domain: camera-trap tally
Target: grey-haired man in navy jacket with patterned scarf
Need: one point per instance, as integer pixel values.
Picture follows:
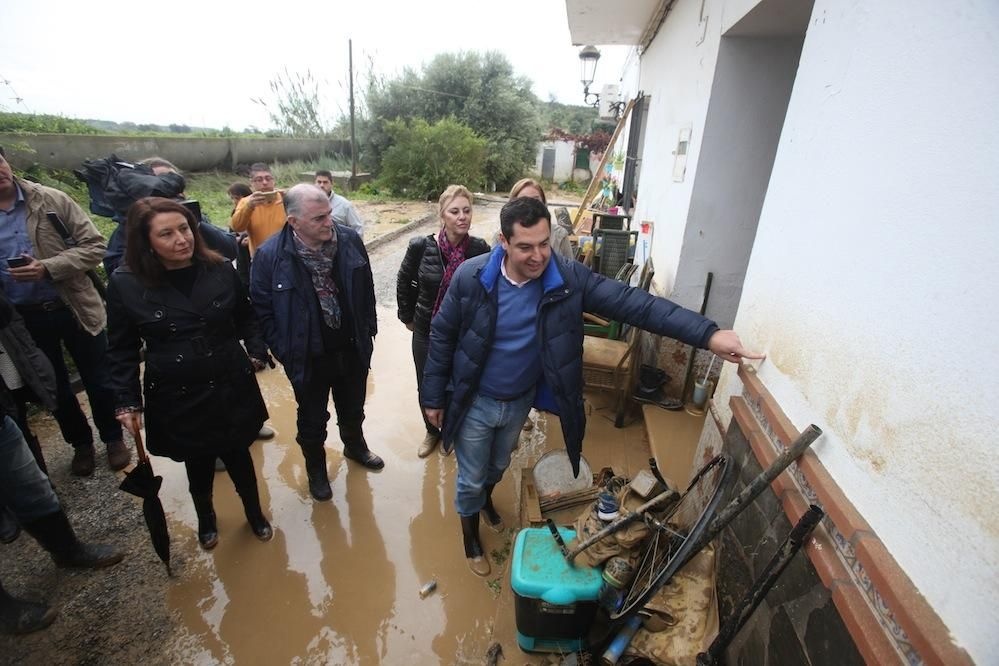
(312, 288)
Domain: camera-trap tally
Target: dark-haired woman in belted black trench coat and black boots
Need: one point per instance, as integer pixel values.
(201, 396)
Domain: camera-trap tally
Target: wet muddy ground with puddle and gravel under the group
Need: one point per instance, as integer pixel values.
(340, 581)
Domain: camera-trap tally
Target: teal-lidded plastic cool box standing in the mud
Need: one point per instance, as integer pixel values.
(554, 602)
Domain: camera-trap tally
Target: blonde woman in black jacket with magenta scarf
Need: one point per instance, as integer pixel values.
(424, 276)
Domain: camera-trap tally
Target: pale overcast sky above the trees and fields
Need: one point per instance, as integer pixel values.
(200, 63)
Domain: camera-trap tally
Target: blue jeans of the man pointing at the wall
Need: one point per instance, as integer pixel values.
(483, 446)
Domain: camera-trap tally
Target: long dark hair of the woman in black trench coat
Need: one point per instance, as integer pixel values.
(139, 254)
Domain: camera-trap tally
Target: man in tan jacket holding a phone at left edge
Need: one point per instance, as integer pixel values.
(46, 279)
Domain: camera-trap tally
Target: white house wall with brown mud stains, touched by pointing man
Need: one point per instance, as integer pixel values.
(872, 283)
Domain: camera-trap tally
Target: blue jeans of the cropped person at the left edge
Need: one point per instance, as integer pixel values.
(23, 487)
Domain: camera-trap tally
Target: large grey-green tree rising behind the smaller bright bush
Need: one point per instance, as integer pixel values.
(480, 91)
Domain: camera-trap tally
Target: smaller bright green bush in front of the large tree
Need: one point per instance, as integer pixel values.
(424, 159)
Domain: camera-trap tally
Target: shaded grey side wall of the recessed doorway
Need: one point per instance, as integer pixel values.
(749, 97)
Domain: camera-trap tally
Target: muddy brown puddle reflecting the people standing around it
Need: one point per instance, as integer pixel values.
(340, 581)
